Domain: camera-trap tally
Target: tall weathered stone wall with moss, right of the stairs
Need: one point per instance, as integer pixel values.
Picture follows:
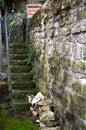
(58, 34)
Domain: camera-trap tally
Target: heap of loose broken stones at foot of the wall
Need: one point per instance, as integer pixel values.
(41, 108)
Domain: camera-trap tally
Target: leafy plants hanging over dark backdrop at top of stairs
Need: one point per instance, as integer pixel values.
(17, 26)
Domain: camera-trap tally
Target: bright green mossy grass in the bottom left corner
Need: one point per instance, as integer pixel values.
(11, 123)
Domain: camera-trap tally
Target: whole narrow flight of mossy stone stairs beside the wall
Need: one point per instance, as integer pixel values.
(21, 75)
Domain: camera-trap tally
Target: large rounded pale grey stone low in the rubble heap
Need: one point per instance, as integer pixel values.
(46, 116)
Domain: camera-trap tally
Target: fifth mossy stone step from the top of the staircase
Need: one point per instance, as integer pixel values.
(19, 69)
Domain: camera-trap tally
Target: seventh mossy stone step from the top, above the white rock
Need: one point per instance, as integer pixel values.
(22, 85)
